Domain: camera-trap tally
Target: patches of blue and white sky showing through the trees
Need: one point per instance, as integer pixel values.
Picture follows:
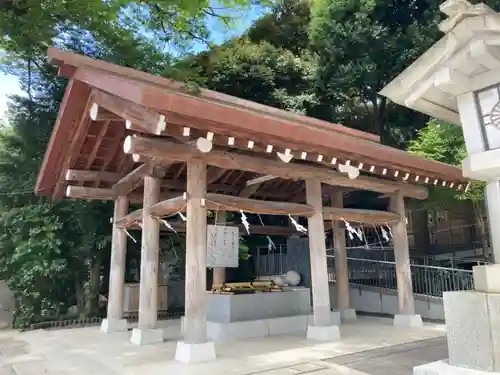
(9, 85)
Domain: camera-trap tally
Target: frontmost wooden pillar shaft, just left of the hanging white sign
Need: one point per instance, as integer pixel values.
(195, 322)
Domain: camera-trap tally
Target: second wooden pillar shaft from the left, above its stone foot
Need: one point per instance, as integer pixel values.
(150, 248)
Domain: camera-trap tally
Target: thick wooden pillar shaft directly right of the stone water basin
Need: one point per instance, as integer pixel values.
(317, 248)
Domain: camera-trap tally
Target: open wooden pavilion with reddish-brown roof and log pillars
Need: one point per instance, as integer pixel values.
(132, 137)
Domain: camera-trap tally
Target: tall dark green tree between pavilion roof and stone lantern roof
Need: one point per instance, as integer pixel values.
(361, 46)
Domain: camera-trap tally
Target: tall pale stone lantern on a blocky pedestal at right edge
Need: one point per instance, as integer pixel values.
(458, 81)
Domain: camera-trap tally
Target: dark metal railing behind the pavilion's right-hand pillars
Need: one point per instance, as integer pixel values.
(426, 280)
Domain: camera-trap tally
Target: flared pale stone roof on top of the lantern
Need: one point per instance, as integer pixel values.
(465, 59)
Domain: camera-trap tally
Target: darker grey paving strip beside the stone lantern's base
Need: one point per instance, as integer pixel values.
(397, 359)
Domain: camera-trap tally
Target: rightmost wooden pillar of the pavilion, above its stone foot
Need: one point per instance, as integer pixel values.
(402, 256)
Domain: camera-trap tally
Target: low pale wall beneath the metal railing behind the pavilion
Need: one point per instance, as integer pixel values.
(383, 301)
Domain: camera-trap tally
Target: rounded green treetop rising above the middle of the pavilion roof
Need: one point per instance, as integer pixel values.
(259, 72)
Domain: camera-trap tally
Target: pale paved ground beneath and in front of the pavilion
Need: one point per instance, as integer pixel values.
(87, 351)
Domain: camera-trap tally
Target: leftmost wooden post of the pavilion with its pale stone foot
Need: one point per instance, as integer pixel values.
(114, 321)
